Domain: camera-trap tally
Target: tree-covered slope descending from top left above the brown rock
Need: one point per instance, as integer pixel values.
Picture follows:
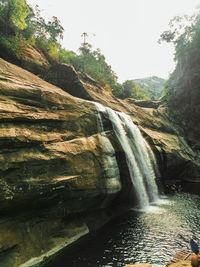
(27, 37)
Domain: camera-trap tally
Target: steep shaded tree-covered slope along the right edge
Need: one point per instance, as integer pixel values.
(183, 86)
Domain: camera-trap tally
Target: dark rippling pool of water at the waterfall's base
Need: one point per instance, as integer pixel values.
(152, 236)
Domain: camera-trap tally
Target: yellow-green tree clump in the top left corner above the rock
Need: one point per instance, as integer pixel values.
(22, 25)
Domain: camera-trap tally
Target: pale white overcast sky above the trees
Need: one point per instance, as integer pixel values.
(126, 31)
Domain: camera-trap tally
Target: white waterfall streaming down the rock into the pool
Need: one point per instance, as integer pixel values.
(139, 156)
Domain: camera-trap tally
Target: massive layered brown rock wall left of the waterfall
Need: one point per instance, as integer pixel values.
(53, 165)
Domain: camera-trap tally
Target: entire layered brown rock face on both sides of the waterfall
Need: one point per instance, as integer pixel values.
(55, 163)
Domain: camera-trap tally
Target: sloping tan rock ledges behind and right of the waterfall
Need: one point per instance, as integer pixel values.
(168, 140)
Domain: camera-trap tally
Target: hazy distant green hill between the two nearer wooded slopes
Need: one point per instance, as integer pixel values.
(153, 86)
